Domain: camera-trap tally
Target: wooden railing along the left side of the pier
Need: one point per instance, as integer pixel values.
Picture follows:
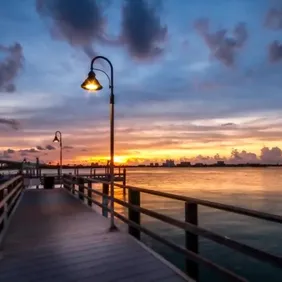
(9, 194)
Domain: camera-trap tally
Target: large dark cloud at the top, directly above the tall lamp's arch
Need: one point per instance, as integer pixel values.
(80, 24)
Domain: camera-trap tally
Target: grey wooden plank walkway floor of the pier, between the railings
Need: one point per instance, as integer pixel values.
(54, 237)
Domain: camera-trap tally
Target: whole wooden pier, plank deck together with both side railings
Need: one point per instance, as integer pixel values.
(55, 235)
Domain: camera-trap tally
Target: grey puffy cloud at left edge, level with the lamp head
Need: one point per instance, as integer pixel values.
(10, 66)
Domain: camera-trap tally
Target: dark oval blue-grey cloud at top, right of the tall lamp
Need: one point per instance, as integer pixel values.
(142, 31)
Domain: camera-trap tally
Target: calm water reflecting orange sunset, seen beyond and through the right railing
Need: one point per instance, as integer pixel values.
(254, 188)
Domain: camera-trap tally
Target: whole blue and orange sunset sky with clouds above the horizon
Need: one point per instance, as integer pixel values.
(194, 80)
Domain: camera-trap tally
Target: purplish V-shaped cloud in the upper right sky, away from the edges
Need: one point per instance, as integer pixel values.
(221, 45)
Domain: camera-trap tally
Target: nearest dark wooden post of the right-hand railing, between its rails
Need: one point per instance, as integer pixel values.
(192, 240)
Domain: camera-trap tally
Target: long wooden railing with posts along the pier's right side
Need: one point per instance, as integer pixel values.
(190, 225)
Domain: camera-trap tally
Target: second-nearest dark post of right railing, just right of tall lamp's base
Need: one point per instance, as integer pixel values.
(134, 199)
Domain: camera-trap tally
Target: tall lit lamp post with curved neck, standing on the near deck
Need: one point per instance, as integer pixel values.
(91, 83)
